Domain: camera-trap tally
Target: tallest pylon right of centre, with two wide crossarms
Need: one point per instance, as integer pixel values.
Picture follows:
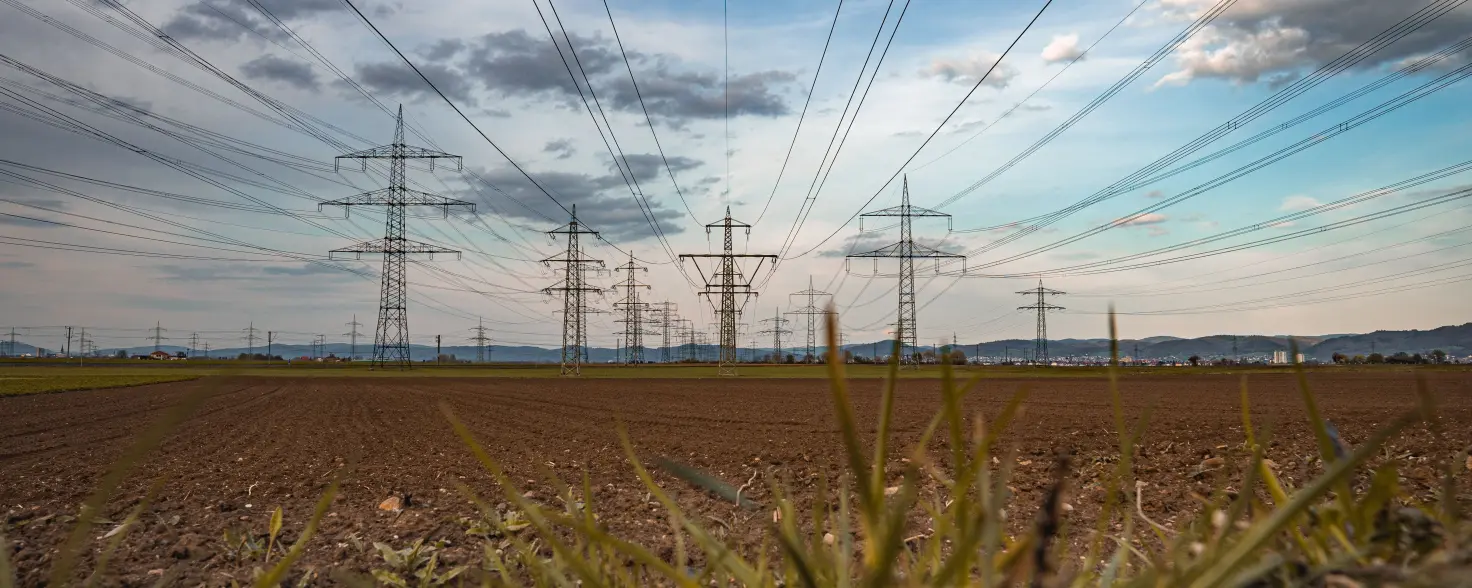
(907, 251)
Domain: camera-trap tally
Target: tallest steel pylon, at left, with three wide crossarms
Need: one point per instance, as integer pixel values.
(391, 344)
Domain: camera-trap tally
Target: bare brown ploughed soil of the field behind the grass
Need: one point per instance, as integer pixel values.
(257, 444)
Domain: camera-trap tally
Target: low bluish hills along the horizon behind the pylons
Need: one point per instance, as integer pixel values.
(1454, 340)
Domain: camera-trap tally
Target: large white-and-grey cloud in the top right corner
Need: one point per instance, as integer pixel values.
(1273, 41)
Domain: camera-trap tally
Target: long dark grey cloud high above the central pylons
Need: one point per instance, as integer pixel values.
(525, 66)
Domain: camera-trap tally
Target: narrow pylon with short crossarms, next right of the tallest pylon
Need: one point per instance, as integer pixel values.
(575, 291)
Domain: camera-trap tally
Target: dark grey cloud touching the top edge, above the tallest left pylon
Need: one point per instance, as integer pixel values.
(229, 20)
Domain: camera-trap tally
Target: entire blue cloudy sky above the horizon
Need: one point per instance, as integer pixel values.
(145, 183)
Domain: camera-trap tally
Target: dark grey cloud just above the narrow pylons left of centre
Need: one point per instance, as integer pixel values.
(603, 201)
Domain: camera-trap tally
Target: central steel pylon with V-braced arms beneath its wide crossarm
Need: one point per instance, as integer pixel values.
(728, 281)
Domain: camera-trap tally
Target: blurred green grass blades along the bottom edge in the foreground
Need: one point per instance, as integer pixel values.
(1352, 525)
